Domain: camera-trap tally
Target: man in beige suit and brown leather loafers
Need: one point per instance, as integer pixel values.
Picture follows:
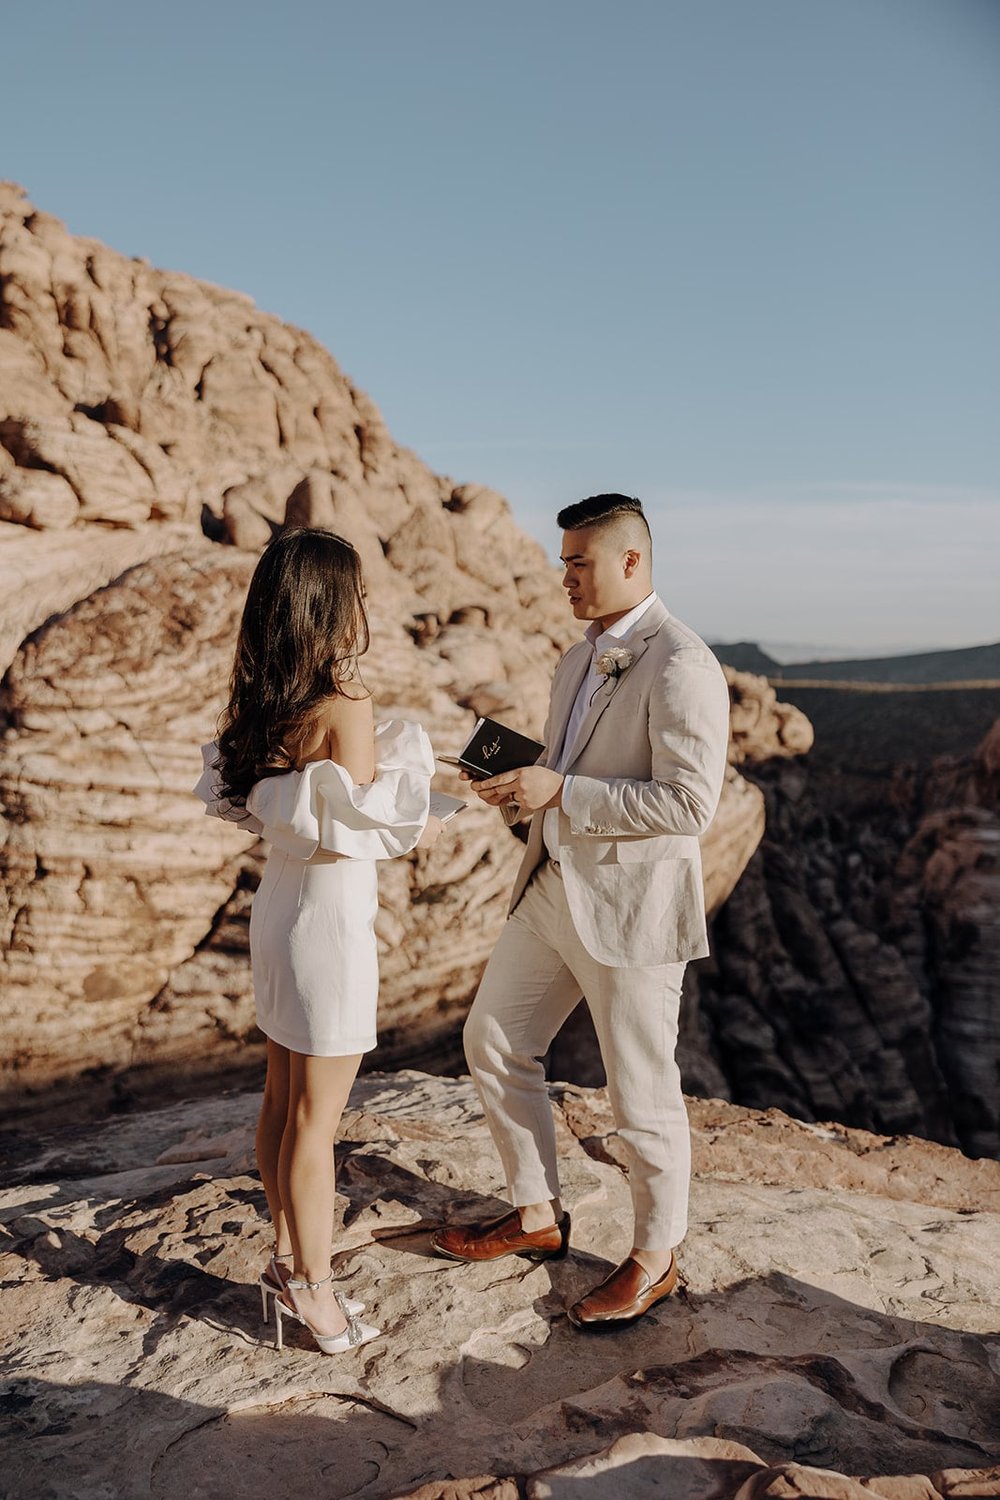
(608, 904)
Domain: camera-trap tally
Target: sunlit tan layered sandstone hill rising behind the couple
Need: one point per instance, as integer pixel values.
(154, 433)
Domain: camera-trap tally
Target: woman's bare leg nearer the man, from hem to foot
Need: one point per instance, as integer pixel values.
(319, 1091)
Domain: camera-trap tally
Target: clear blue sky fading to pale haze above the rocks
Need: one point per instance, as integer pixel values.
(738, 257)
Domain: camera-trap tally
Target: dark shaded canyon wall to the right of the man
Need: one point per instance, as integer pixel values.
(857, 968)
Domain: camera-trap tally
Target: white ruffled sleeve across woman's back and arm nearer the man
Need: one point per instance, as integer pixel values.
(320, 808)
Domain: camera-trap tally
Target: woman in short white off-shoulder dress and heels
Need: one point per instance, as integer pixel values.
(301, 763)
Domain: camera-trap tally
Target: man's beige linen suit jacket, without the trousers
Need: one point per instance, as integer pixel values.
(647, 766)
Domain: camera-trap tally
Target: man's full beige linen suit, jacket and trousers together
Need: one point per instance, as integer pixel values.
(614, 920)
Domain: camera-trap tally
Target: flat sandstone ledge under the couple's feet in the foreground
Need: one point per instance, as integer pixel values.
(837, 1318)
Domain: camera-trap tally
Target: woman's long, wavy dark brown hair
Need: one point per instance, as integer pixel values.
(301, 638)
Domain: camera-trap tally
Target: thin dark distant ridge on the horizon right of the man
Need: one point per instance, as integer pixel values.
(963, 665)
